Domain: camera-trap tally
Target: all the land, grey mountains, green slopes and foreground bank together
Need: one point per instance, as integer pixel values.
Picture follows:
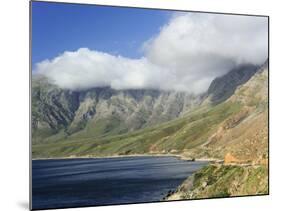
(234, 130)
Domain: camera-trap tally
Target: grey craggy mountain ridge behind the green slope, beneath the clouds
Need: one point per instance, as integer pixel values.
(134, 109)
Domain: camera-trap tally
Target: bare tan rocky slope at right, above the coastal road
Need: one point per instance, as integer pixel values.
(245, 134)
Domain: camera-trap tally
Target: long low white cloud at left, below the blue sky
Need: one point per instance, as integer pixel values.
(84, 69)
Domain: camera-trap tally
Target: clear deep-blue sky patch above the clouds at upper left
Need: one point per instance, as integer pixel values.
(58, 27)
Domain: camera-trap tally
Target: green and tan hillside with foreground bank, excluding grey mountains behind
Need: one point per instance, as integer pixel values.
(235, 131)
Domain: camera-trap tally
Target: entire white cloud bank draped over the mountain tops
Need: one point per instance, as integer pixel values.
(186, 55)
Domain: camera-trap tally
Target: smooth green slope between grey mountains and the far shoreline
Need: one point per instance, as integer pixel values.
(184, 133)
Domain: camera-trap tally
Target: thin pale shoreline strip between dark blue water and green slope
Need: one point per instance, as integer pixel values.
(178, 156)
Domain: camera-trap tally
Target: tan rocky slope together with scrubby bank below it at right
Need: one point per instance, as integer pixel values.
(242, 141)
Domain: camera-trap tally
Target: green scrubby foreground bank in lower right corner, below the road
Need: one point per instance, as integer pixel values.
(223, 181)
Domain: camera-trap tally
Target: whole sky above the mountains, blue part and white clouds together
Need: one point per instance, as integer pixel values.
(185, 55)
